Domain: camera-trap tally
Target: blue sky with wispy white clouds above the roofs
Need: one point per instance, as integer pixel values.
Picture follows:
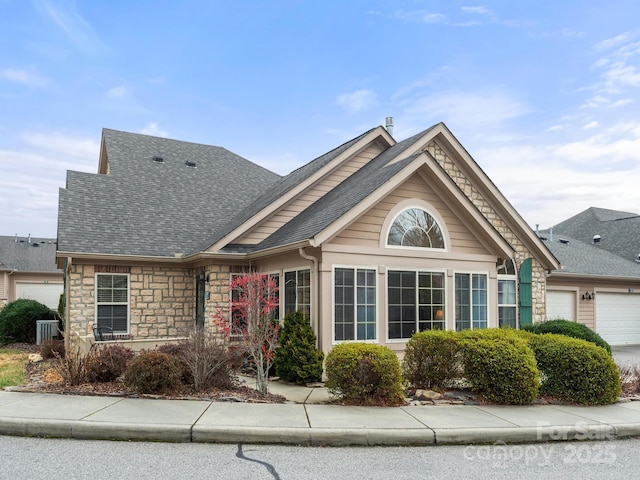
(543, 94)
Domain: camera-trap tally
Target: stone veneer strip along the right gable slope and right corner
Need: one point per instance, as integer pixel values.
(538, 273)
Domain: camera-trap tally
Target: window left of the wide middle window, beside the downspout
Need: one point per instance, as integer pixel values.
(354, 304)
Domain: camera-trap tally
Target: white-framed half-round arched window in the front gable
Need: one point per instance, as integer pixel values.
(415, 227)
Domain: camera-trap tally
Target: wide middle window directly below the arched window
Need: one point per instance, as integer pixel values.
(415, 302)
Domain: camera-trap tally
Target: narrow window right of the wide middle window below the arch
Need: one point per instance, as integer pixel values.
(471, 301)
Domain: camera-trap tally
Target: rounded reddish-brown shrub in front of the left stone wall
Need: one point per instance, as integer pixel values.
(153, 372)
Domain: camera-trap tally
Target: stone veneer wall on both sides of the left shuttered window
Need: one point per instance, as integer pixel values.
(162, 300)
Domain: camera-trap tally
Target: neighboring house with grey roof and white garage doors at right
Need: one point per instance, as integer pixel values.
(599, 282)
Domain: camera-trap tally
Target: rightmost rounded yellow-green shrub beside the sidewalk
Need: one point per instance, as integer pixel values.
(576, 370)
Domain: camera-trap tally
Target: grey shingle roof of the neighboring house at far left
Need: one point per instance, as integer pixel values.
(37, 255)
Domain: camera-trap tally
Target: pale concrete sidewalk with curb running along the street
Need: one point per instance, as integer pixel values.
(309, 422)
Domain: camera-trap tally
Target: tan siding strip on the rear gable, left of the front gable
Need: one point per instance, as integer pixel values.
(309, 196)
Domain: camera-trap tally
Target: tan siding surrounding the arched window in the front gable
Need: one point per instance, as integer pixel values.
(366, 231)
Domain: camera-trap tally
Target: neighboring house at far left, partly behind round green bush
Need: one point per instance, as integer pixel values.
(28, 270)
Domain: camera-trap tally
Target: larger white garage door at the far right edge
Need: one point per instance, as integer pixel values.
(618, 317)
